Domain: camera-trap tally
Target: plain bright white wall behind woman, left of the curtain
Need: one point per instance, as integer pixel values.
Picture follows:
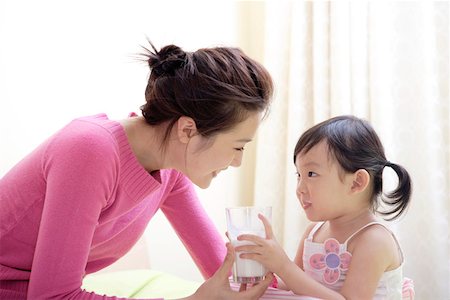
(60, 60)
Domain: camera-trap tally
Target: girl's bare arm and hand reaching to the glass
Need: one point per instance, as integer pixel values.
(368, 263)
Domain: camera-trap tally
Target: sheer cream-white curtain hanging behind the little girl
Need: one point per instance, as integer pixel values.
(387, 62)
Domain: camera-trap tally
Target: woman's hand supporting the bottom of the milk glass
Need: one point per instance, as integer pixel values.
(218, 286)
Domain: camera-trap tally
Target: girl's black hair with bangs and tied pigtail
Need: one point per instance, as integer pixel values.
(355, 145)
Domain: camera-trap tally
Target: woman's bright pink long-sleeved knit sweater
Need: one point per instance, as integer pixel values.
(79, 202)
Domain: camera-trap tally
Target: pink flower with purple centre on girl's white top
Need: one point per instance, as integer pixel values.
(332, 261)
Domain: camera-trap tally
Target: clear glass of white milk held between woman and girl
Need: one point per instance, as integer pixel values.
(244, 220)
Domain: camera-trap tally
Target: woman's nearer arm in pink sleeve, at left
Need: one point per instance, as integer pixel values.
(79, 170)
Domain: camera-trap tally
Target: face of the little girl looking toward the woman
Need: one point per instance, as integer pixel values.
(322, 187)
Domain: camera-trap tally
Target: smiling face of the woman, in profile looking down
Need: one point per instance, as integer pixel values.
(206, 158)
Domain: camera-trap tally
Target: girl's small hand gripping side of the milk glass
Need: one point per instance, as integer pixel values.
(267, 251)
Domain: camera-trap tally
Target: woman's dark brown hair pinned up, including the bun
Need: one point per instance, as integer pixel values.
(217, 87)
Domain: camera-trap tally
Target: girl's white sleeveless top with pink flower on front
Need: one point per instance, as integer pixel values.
(329, 266)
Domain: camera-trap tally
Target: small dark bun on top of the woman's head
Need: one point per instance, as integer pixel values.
(167, 60)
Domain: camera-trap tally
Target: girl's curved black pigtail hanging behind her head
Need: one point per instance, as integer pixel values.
(400, 197)
